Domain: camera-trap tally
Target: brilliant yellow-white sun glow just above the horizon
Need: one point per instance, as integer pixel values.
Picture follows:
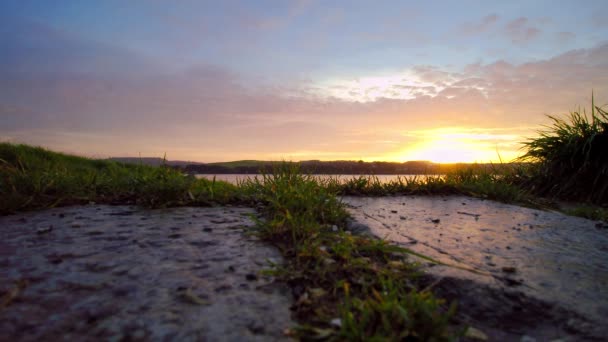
(453, 145)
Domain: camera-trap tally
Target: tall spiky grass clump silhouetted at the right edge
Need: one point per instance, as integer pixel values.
(571, 157)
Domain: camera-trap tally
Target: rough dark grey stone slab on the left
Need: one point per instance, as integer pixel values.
(123, 273)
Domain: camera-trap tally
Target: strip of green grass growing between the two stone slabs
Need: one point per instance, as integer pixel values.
(346, 287)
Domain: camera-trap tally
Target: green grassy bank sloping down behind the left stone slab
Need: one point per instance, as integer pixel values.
(34, 178)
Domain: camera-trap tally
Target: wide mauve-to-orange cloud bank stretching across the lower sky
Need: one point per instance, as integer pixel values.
(92, 98)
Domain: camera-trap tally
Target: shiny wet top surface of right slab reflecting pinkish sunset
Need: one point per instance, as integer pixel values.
(545, 255)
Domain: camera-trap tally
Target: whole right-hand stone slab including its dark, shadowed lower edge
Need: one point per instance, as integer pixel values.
(544, 262)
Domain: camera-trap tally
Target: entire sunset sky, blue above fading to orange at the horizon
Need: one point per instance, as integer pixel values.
(210, 81)
